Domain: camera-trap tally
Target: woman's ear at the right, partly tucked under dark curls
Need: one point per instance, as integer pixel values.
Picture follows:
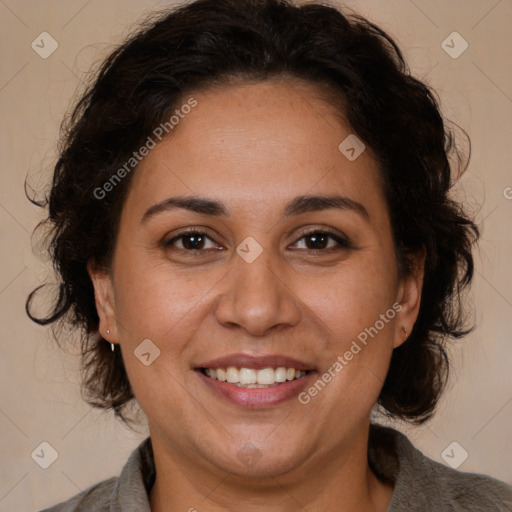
(409, 298)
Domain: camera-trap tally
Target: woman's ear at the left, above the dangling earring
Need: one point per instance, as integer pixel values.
(105, 303)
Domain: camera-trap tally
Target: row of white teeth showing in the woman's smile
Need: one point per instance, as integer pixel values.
(252, 378)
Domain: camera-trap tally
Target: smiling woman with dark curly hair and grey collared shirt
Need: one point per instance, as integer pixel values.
(251, 221)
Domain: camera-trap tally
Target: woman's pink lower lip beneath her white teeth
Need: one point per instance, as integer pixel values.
(255, 398)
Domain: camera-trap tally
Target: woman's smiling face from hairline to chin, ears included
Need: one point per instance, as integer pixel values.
(291, 265)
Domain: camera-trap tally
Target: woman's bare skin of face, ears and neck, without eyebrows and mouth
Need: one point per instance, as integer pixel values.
(255, 147)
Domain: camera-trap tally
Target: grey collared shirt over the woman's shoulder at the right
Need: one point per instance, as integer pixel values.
(424, 484)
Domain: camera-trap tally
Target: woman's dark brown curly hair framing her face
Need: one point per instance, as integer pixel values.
(209, 42)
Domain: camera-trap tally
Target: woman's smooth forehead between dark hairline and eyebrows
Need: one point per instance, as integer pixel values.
(257, 143)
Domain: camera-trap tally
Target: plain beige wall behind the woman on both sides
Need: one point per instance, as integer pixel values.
(40, 399)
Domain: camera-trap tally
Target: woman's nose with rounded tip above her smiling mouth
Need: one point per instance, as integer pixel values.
(257, 297)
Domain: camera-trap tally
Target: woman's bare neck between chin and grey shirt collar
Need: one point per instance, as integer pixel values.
(342, 482)
